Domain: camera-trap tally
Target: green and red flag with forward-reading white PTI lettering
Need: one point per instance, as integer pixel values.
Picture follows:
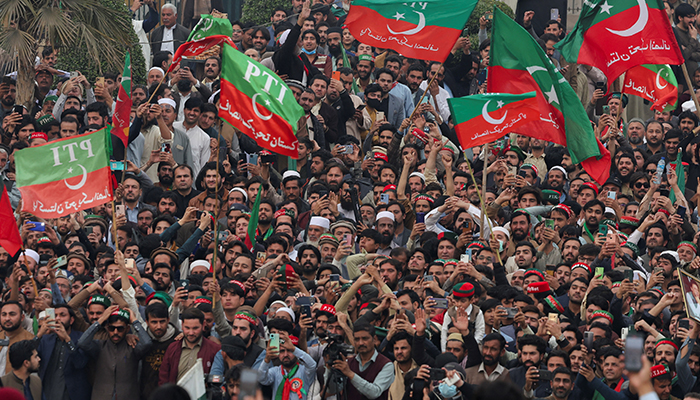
(257, 102)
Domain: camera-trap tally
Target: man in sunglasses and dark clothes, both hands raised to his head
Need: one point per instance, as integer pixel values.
(116, 362)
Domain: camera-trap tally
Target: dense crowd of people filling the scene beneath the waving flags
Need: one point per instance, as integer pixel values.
(383, 264)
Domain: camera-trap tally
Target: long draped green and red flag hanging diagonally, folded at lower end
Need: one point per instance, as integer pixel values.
(519, 65)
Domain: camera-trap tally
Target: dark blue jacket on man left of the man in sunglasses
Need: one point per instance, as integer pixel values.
(75, 370)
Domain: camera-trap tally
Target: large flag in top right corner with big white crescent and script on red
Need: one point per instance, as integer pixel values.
(618, 35)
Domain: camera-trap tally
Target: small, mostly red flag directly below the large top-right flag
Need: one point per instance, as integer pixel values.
(656, 83)
